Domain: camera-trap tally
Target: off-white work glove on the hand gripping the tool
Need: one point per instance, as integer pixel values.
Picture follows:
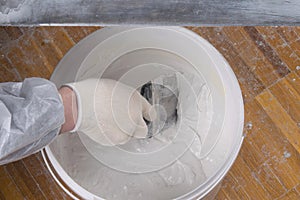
(110, 112)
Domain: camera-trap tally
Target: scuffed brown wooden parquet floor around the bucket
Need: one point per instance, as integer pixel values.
(266, 61)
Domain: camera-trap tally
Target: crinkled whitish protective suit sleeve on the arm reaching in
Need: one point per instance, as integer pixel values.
(31, 115)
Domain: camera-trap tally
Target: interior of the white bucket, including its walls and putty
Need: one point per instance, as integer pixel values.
(135, 56)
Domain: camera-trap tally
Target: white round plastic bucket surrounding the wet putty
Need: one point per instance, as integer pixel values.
(112, 52)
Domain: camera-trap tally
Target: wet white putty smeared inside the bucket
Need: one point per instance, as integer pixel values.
(180, 174)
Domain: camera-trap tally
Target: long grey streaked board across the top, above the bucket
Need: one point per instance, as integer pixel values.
(157, 12)
